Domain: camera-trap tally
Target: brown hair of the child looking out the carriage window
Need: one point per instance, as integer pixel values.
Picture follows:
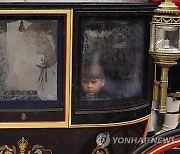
(92, 71)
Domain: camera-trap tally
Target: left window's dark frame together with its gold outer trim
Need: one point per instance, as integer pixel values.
(44, 117)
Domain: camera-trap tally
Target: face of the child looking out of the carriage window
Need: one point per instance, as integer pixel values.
(92, 86)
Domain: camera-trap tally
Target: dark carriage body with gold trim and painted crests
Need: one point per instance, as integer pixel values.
(121, 33)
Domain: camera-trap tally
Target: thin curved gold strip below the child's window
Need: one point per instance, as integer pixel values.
(111, 124)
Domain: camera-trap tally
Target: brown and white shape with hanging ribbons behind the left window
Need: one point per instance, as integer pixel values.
(44, 36)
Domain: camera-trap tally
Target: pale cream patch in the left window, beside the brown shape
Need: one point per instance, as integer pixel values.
(20, 60)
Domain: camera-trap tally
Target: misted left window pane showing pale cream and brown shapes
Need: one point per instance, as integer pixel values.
(29, 60)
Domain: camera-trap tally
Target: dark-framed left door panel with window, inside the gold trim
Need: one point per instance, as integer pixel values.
(32, 50)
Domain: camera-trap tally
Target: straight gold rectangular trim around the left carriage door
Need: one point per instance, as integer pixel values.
(49, 124)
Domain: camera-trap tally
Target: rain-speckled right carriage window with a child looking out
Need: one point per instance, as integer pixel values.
(112, 65)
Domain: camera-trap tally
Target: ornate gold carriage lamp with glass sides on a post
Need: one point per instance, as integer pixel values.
(165, 43)
